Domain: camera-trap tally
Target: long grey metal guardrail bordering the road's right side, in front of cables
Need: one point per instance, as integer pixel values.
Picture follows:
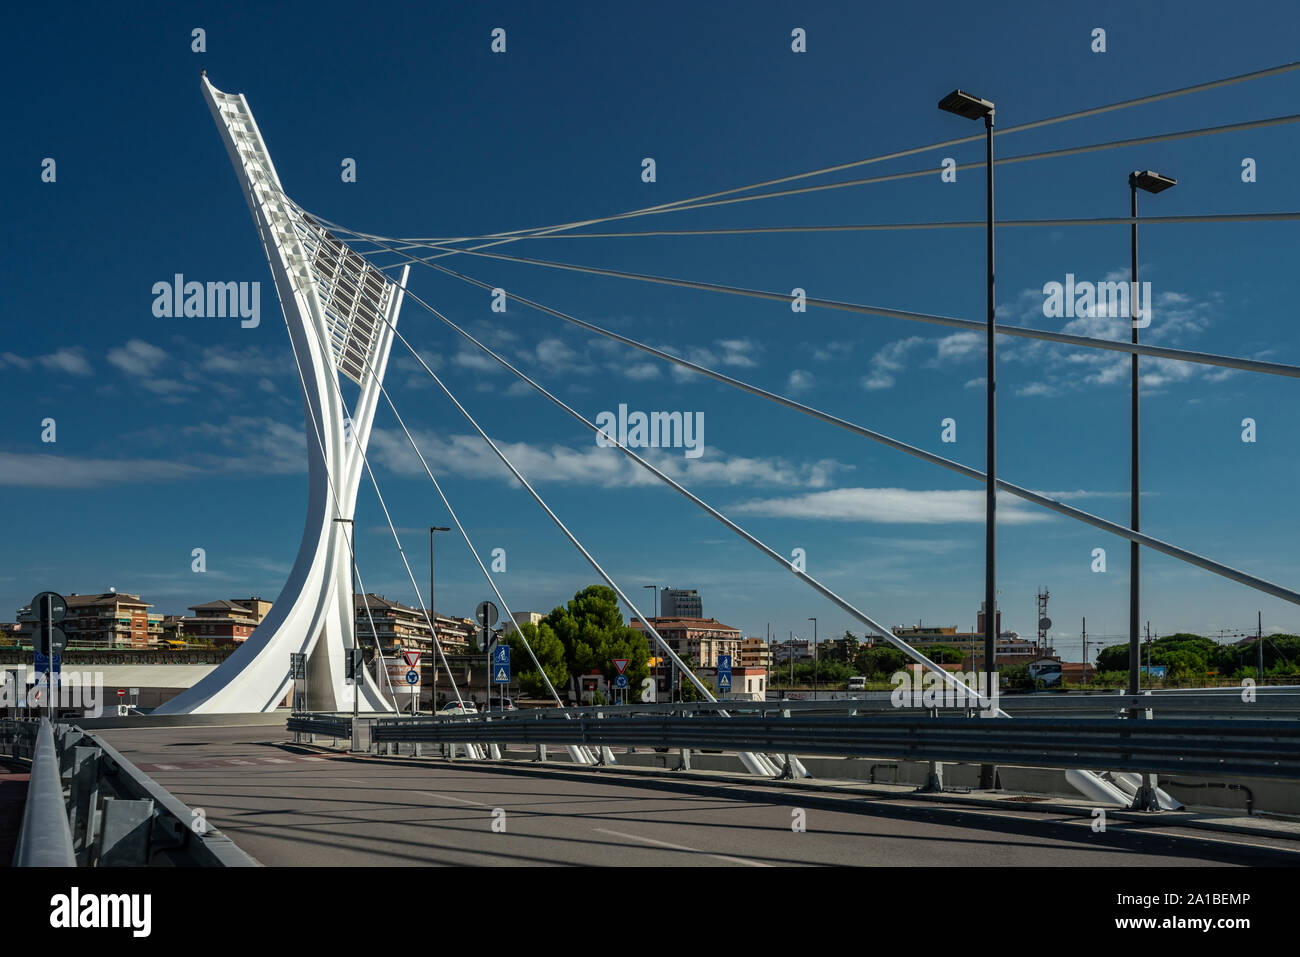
(1255, 748)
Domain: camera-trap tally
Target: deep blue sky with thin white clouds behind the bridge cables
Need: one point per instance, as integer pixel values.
(177, 434)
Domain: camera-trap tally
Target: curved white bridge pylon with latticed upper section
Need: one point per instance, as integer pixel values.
(340, 313)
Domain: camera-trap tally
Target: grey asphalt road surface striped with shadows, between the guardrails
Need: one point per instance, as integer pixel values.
(287, 807)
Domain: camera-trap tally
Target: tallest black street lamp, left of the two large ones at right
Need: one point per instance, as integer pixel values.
(973, 109)
